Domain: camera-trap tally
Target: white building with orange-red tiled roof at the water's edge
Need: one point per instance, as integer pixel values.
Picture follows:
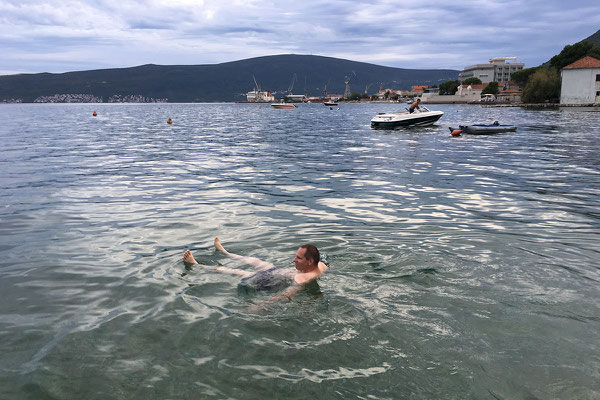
(581, 82)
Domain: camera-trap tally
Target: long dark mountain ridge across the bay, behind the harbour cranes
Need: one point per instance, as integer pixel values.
(216, 82)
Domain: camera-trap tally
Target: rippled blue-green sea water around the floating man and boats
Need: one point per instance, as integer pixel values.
(460, 268)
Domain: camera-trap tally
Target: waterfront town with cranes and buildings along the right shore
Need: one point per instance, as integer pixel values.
(491, 83)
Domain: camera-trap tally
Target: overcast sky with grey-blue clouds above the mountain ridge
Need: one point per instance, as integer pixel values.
(71, 35)
